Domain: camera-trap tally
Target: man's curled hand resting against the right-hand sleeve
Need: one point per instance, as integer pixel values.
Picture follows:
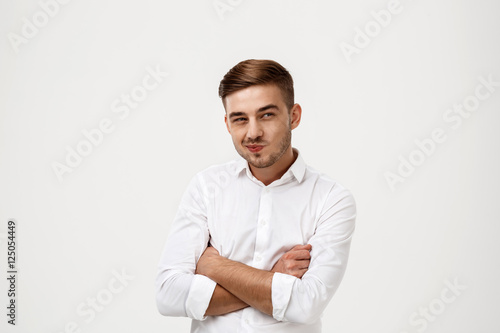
(294, 262)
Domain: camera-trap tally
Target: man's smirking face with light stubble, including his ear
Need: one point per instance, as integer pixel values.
(260, 124)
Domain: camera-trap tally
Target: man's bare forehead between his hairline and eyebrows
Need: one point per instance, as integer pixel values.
(254, 97)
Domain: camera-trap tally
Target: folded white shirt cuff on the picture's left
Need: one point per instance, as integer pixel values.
(200, 294)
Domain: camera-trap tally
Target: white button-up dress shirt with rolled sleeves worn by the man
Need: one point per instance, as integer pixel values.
(255, 224)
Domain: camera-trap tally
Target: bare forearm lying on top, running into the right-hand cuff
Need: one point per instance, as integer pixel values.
(252, 286)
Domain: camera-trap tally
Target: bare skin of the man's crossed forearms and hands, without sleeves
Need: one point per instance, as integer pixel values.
(239, 285)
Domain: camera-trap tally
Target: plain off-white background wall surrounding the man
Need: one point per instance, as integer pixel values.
(114, 210)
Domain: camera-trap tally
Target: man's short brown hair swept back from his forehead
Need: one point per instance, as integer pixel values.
(258, 72)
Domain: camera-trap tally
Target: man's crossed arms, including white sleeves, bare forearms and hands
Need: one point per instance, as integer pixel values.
(298, 297)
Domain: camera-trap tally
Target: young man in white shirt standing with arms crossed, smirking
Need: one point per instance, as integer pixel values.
(259, 244)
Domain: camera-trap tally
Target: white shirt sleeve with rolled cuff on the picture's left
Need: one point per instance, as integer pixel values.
(179, 291)
